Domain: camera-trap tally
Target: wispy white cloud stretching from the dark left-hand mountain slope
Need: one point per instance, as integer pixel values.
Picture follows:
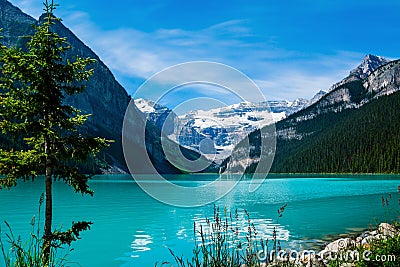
(136, 53)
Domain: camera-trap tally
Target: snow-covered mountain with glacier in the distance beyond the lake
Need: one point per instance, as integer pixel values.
(215, 132)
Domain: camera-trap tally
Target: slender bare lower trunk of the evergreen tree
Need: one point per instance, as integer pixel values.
(49, 210)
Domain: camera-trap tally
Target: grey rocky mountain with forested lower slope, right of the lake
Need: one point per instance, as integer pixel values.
(295, 135)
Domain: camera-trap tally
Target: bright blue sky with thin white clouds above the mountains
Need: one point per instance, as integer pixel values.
(289, 48)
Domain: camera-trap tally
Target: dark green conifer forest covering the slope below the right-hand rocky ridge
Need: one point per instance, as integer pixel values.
(365, 140)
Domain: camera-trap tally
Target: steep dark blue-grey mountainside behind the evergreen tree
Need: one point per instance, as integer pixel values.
(104, 97)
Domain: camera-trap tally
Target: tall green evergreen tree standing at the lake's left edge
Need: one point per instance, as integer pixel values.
(46, 135)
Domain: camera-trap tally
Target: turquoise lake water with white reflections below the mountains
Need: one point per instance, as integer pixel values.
(132, 229)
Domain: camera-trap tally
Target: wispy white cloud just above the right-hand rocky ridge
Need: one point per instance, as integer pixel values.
(305, 75)
